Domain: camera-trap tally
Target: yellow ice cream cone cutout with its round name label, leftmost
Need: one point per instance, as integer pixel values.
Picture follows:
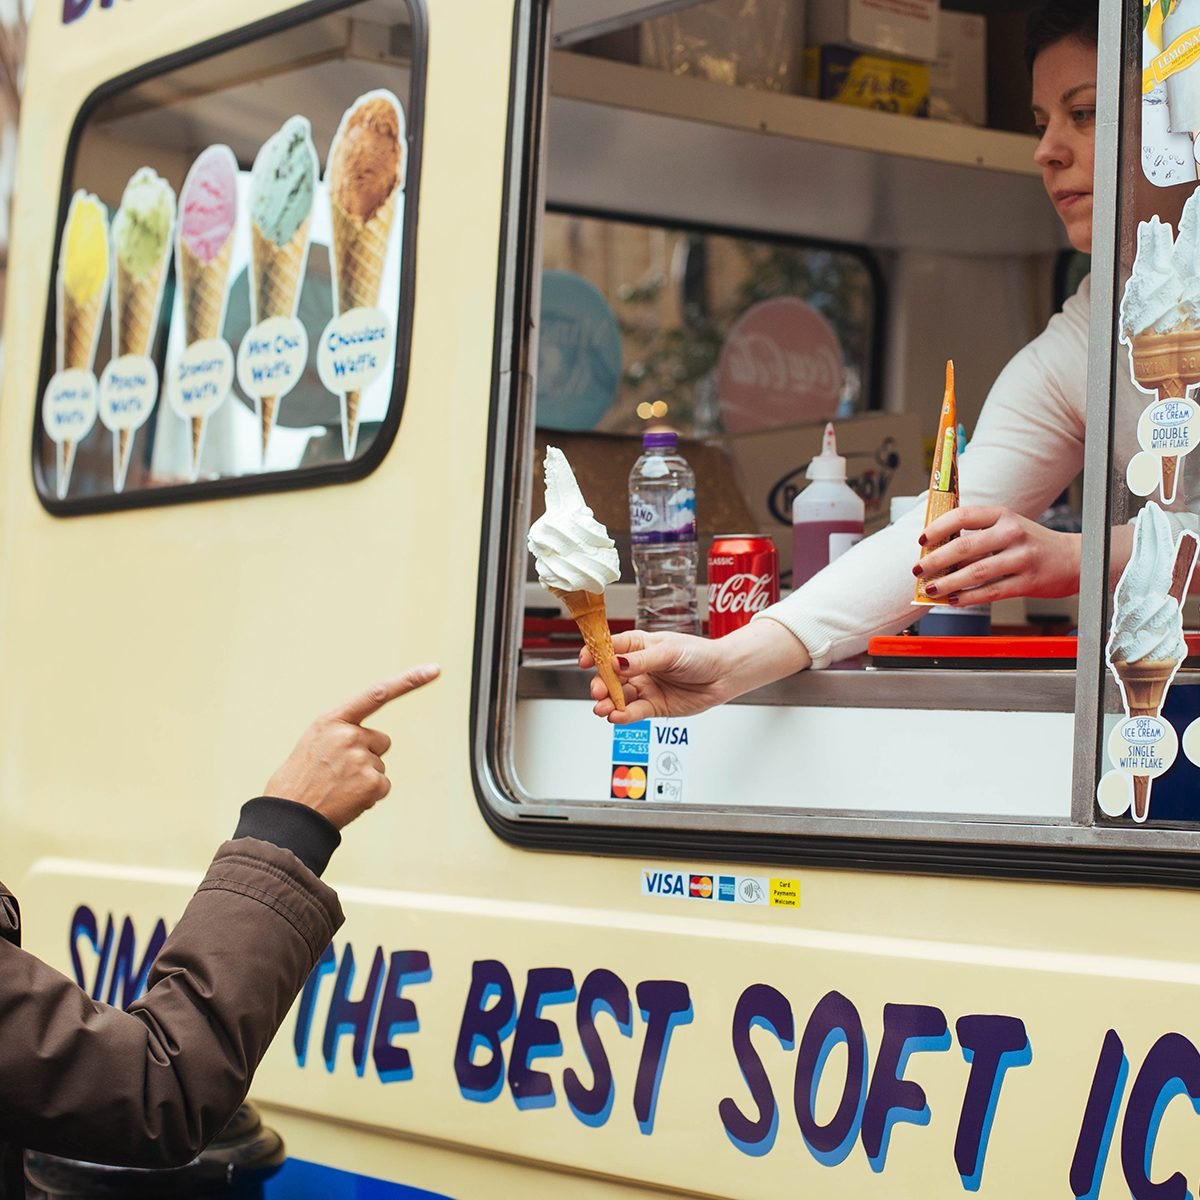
(70, 405)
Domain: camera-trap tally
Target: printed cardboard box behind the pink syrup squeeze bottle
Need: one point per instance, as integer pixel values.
(884, 459)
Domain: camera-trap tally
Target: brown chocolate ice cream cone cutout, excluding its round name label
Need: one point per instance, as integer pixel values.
(365, 177)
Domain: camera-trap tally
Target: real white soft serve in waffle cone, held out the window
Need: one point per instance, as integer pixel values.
(577, 561)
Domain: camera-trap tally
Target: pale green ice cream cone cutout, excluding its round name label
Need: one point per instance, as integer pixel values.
(142, 232)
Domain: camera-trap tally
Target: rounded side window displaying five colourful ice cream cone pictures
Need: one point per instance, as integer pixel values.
(233, 278)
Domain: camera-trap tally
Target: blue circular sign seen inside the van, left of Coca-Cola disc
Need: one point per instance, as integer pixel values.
(579, 355)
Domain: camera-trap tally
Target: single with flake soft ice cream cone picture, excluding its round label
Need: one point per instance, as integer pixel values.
(1147, 643)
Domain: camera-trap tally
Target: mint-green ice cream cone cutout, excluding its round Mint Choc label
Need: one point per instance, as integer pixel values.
(284, 185)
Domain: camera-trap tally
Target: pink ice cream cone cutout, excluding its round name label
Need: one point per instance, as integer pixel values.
(208, 207)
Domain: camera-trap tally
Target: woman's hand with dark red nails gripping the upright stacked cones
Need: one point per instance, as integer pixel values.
(998, 555)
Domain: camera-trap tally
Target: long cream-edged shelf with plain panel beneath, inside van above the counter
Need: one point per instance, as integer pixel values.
(632, 140)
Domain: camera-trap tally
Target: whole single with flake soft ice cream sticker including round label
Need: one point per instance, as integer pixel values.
(1147, 647)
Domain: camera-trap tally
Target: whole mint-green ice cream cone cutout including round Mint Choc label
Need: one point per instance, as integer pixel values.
(284, 187)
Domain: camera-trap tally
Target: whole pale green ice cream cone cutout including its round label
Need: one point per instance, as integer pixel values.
(142, 238)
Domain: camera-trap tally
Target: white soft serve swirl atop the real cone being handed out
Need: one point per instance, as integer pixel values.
(572, 549)
